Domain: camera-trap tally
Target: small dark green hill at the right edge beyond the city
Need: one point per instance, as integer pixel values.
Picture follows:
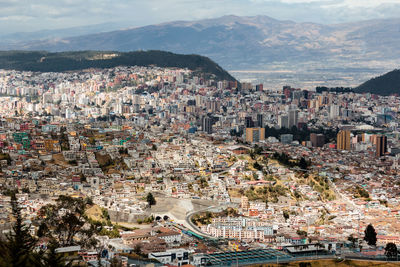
(386, 84)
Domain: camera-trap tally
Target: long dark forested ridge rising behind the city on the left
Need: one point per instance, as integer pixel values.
(68, 61)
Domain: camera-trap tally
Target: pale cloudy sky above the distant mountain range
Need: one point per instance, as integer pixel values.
(35, 15)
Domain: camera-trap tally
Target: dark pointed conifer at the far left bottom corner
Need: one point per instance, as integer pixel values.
(17, 249)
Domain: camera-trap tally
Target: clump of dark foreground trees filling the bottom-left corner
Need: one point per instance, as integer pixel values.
(61, 224)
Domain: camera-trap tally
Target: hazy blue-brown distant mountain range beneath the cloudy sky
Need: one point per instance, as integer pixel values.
(247, 42)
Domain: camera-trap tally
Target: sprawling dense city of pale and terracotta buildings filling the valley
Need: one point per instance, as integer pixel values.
(162, 165)
